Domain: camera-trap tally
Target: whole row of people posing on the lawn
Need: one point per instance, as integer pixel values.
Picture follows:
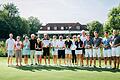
(70, 52)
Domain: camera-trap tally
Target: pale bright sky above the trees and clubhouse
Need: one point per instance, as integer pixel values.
(65, 11)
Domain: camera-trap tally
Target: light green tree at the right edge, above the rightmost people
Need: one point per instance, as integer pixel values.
(113, 20)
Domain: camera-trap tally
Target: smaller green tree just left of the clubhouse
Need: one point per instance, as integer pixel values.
(34, 24)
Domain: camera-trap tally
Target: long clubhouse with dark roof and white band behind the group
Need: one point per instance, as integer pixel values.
(62, 29)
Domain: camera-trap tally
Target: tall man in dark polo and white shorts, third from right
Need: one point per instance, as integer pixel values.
(96, 48)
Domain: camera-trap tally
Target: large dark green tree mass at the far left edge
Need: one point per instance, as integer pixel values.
(11, 22)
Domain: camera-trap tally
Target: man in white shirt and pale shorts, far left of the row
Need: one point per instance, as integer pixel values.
(10, 48)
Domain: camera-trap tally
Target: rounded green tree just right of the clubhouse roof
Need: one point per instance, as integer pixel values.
(95, 26)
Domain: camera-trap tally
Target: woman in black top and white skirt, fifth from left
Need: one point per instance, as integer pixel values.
(38, 52)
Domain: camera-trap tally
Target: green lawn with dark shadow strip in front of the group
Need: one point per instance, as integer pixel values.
(55, 73)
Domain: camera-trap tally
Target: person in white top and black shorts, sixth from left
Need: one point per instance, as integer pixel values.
(46, 48)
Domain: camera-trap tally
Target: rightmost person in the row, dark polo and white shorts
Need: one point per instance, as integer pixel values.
(115, 44)
